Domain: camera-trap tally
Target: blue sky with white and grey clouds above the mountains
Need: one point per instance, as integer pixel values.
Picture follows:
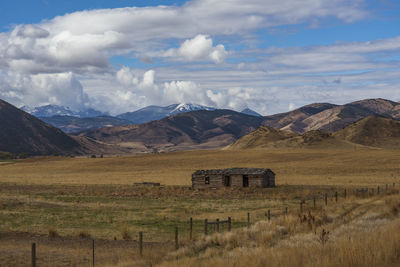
(271, 56)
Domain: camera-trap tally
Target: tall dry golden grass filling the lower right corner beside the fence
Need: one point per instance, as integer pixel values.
(365, 235)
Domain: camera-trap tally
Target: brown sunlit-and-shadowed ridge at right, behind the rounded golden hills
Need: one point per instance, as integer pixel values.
(331, 118)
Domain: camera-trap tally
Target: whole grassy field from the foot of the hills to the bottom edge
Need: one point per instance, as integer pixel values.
(64, 203)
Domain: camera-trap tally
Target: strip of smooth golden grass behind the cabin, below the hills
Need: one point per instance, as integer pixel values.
(318, 167)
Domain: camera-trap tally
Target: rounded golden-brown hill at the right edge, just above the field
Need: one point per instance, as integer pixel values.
(373, 131)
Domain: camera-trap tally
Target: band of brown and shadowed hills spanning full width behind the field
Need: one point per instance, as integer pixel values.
(365, 123)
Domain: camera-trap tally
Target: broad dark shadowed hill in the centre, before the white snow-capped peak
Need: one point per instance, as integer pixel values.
(190, 130)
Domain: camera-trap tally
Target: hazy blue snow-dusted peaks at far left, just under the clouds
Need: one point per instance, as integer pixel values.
(54, 110)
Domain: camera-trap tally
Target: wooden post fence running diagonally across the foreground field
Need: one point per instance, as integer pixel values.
(222, 225)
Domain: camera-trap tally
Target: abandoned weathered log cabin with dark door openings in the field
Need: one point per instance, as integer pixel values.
(233, 177)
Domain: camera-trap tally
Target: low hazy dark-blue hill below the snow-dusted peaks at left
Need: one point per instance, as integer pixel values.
(70, 124)
